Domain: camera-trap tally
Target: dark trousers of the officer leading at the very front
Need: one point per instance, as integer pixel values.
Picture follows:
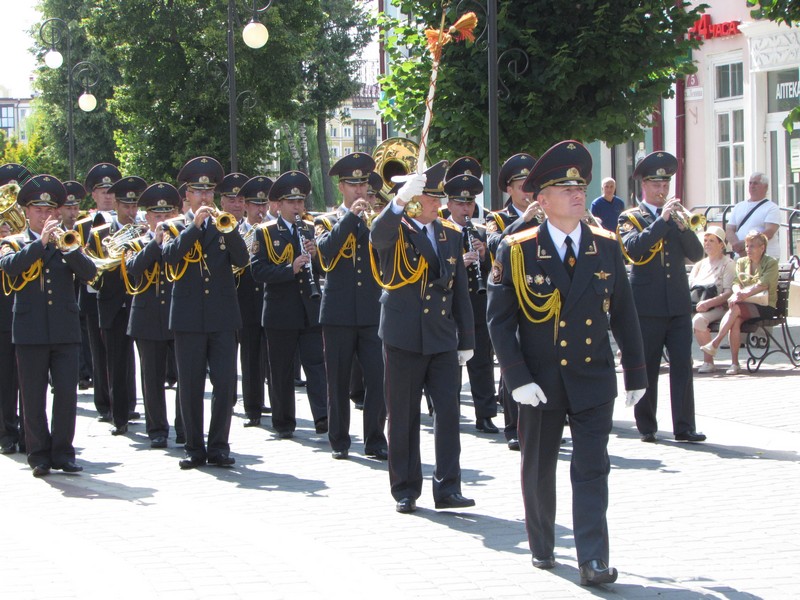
(540, 434)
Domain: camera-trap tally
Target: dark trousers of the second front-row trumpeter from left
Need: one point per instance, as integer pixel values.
(195, 353)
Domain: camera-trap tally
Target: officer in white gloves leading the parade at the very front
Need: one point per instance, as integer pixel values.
(554, 290)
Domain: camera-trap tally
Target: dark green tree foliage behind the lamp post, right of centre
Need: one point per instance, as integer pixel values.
(595, 70)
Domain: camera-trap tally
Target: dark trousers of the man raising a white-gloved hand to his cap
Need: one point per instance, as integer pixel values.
(405, 375)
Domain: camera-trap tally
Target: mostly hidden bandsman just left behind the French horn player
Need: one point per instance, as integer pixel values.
(99, 178)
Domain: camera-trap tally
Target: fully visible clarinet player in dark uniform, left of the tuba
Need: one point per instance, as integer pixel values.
(291, 304)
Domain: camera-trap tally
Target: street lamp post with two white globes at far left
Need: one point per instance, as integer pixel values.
(84, 70)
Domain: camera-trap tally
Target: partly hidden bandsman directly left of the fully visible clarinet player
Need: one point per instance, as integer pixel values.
(252, 337)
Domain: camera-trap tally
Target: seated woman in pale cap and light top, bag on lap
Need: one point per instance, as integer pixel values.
(718, 269)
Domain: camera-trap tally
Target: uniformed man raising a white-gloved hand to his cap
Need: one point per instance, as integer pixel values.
(427, 331)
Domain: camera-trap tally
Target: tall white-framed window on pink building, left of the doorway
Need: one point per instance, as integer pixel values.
(729, 131)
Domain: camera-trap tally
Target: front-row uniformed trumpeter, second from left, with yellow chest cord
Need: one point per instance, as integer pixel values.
(204, 315)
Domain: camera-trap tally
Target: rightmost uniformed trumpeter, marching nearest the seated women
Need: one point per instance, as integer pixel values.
(658, 246)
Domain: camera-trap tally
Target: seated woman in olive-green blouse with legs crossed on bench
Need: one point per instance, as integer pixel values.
(755, 273)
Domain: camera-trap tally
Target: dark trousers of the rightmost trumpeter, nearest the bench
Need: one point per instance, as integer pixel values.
(674, 333)
